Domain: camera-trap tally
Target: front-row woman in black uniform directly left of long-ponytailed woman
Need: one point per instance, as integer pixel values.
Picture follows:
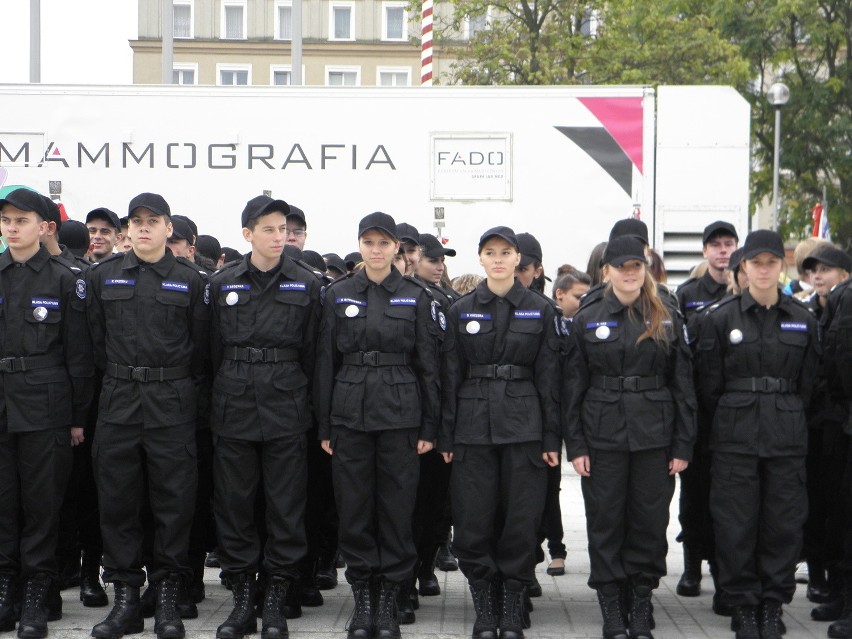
(500, 429)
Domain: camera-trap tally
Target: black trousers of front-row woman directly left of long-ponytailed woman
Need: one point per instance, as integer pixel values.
(498, 499)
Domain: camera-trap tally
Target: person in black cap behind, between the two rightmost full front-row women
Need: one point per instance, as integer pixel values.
(694, 296)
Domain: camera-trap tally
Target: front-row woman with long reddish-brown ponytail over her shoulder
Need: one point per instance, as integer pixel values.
(629, 416)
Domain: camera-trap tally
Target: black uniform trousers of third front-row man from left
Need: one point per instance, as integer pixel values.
(277, 467)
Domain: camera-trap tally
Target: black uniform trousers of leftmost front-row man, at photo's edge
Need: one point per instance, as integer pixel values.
(34, 468)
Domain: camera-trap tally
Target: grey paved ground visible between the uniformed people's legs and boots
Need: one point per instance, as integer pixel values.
(568, 609)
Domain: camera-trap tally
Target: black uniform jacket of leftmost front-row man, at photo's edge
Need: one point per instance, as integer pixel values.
(43, 320)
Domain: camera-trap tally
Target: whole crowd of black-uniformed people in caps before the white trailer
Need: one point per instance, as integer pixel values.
(169, 405)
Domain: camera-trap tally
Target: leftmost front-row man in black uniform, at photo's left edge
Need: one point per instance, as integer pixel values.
(46, 375)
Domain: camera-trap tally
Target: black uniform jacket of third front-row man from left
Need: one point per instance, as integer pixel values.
(263, 399)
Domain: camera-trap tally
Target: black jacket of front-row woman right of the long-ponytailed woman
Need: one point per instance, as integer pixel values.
(740, 340)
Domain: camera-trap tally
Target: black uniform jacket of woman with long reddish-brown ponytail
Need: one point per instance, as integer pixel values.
(604, 336)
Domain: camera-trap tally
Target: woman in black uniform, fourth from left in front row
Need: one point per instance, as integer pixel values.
(377, 395)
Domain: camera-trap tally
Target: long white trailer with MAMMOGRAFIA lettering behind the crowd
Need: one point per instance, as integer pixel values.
(563, 163)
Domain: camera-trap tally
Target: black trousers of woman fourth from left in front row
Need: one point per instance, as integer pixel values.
(375, 480)
